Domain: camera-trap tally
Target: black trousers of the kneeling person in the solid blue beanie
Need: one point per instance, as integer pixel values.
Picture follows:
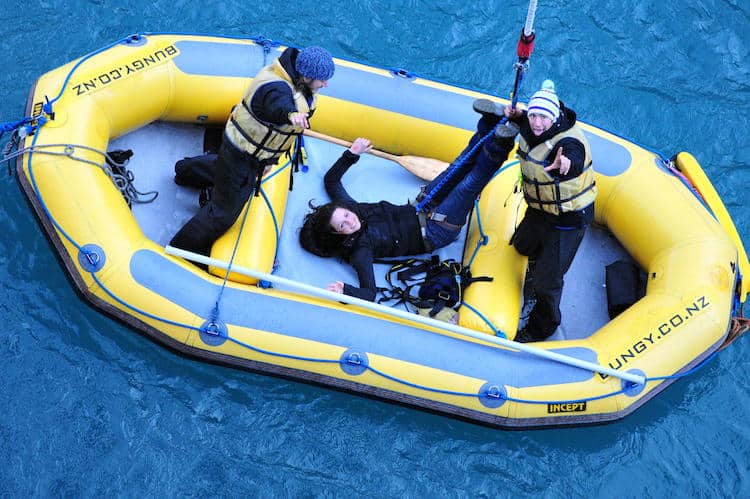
(233, 174)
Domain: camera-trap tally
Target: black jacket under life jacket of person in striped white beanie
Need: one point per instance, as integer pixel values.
(573, 150)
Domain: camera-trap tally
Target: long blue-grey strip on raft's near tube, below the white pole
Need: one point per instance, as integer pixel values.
(361, 333)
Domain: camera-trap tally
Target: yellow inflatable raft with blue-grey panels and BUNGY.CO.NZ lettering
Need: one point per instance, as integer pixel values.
(665, 214)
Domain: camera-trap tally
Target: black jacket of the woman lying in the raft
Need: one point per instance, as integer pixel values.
(388, 230)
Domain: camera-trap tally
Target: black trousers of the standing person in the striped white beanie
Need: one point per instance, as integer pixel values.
(551, 251)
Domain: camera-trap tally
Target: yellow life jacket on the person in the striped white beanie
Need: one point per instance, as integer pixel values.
(547, 193)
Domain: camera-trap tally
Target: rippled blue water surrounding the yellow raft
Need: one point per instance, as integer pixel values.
(90, 408)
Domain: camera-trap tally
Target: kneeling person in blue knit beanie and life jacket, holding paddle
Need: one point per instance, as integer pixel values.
(274, 110)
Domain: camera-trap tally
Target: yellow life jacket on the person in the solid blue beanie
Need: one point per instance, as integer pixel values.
(263, 140)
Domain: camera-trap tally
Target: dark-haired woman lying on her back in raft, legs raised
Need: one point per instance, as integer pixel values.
(358, 233)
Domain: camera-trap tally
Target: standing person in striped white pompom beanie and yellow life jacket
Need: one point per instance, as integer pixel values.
(559, 189)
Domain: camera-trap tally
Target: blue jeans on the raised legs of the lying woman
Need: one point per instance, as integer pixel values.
(465, 185)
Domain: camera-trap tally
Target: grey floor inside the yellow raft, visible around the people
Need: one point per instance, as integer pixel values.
(158, 146)
